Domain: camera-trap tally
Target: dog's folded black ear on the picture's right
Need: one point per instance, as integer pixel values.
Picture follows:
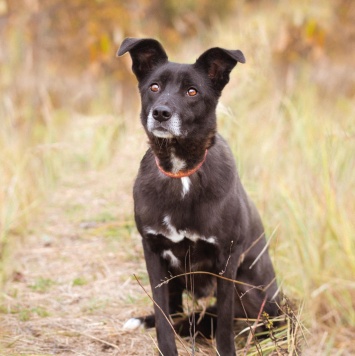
(218, 63)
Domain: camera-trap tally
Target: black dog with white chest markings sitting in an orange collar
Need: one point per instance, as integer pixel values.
(190, 207)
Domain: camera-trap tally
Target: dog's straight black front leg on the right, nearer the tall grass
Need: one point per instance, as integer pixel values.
(225, 309)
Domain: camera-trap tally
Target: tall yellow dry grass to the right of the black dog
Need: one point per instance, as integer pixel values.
(295, 152)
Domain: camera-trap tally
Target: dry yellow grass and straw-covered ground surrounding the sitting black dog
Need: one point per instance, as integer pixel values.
(290, 124)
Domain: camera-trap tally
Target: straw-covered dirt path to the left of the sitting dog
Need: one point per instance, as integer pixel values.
(72, 288)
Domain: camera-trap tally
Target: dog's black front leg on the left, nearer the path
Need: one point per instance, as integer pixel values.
(157, 271)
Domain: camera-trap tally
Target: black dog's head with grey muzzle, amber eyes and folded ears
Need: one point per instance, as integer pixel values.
(179, 100)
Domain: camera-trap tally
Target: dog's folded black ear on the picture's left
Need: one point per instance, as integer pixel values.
(146, 54)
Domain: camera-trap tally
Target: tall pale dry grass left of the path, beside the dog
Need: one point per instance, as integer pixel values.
(39, 138)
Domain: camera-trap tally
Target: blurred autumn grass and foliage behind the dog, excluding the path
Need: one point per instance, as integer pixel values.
(67, 104)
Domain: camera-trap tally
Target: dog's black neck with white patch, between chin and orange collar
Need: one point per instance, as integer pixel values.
(180, 158)
